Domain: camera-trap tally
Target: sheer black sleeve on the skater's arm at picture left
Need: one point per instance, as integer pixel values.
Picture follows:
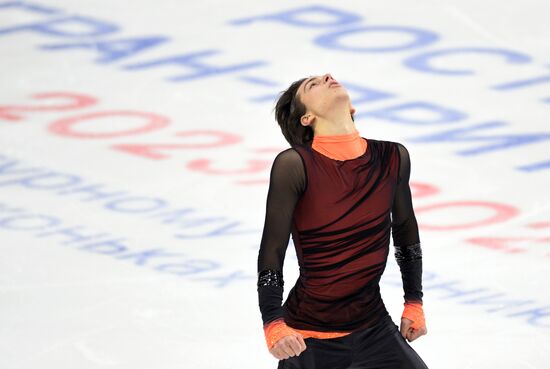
(286, 184)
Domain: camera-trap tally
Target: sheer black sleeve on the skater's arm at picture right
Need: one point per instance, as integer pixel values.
(406, 239)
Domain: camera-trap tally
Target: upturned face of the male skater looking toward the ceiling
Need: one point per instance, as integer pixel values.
(321, 93)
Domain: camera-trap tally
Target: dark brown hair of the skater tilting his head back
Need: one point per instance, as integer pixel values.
(288, 111)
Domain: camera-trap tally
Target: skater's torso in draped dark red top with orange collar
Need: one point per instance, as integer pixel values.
(341, 231)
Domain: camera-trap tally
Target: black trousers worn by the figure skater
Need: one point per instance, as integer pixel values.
(378, 347)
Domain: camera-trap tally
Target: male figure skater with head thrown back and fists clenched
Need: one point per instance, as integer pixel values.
(338, 194)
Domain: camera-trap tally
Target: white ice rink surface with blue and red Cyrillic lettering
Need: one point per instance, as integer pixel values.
(136, 140)
